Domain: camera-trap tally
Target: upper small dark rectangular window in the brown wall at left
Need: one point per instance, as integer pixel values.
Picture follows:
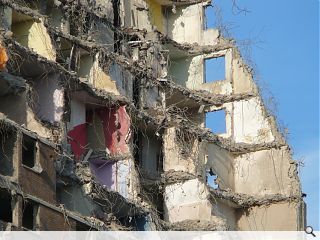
(28, 151)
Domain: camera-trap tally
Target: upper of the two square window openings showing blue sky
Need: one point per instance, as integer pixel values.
(214, 69)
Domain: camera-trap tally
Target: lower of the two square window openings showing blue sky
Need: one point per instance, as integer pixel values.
(216, 121)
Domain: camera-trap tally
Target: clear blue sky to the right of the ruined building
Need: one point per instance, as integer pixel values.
(281, 38)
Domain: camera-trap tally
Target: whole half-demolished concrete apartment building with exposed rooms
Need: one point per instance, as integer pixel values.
(106, 112)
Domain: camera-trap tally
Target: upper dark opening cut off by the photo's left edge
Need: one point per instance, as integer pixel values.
(7, 144)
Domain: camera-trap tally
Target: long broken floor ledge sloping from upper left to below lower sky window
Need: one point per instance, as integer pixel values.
(109, 99)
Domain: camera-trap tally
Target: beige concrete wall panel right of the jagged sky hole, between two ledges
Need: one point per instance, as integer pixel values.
(266, 172)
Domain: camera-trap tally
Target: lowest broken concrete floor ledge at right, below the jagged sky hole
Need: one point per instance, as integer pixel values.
(240, 200)
